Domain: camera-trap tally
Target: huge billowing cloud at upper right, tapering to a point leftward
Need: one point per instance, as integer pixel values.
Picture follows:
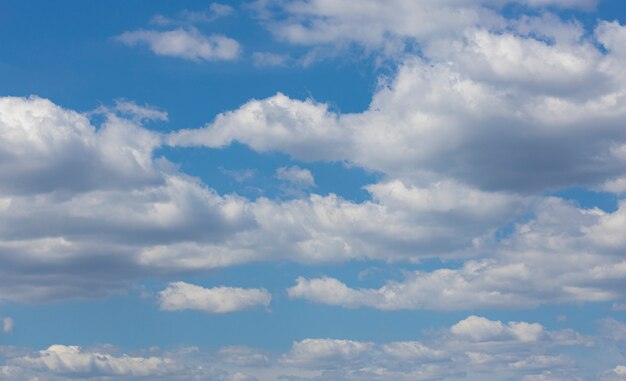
(501, 111)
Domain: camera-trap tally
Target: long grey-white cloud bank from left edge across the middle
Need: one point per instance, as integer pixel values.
(88, 209)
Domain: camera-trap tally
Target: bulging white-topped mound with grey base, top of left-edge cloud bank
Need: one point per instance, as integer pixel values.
(40, 143)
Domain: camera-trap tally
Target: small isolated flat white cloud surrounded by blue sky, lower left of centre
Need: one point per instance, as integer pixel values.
(218, 300)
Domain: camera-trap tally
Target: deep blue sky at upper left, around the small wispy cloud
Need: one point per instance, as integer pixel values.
(85, 70)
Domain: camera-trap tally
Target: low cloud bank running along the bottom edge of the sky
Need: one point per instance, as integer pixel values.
(512, 350)
